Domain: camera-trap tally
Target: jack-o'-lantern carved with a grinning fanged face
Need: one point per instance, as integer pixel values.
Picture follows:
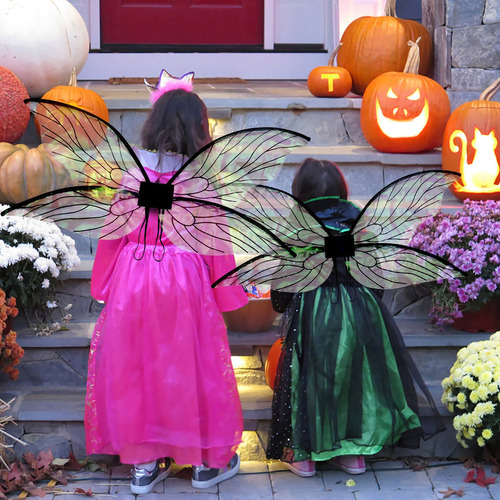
(404, 112)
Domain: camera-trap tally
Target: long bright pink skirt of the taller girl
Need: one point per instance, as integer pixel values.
(161, 383)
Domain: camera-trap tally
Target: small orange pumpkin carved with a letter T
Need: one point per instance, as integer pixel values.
(329, 80)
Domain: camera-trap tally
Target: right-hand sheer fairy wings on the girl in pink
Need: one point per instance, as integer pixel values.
(215, 200)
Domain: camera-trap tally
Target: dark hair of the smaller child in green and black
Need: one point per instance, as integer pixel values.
(318, 178)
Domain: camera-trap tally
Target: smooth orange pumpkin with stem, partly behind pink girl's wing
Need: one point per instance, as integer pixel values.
(79, 97)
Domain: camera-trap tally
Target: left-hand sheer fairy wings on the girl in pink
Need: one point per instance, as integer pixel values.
(100, 197)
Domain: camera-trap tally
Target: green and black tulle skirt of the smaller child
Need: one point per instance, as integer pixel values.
(346, 384)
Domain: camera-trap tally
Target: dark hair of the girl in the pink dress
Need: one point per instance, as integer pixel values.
(178, 122)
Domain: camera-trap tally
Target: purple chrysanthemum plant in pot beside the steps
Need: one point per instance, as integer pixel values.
(469, 239)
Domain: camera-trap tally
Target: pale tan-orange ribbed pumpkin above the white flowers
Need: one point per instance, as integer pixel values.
(25, 172)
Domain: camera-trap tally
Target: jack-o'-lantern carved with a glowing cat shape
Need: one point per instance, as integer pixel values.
(471, 146)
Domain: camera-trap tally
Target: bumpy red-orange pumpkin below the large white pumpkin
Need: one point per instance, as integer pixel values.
(14, 114)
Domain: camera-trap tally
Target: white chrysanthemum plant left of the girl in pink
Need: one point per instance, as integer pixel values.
(32, 255)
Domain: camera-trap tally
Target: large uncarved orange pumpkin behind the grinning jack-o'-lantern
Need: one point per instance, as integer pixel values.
(375, 45)
